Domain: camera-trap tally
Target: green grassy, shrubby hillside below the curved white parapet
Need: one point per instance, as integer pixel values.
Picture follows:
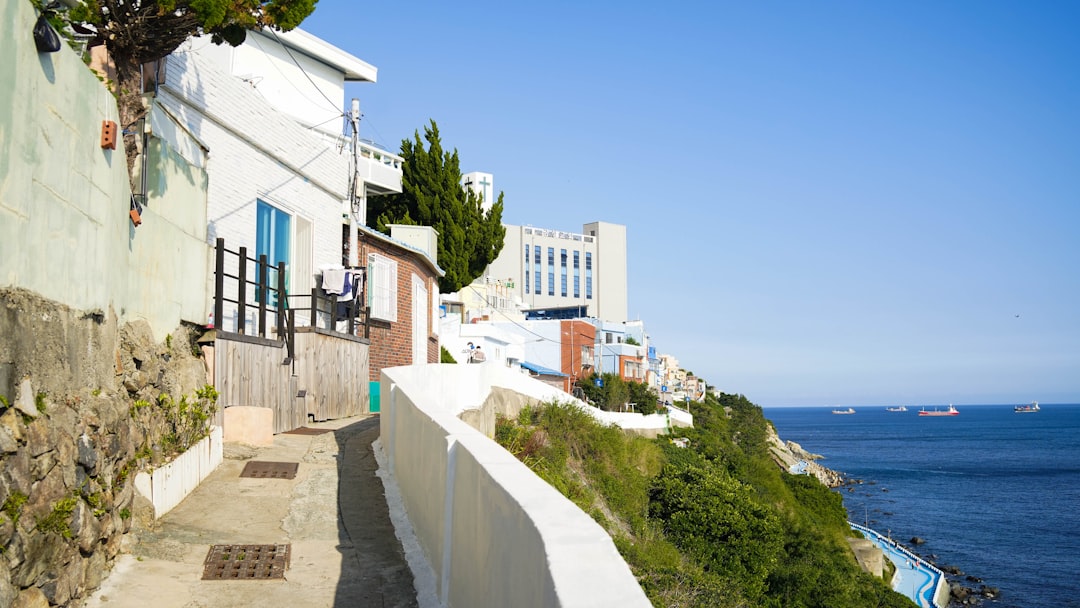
(713, 525)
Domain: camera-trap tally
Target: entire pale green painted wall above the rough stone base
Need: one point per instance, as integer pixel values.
(64, 224)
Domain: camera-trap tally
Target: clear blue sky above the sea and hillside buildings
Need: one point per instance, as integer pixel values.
(827, 202)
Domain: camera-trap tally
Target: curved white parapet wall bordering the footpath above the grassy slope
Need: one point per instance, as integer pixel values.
(495, 534)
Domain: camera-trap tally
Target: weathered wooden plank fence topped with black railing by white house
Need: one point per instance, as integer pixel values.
(303, 356)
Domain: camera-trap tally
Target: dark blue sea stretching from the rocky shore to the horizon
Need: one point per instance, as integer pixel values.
(993, 493)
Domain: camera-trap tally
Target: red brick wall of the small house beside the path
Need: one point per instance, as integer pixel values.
(393, 343)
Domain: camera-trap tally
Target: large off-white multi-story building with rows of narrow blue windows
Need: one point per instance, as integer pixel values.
(582, 274)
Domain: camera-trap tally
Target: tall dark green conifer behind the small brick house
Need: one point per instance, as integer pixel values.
(469, 238)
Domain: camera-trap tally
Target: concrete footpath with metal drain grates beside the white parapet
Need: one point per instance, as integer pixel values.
(334, 515)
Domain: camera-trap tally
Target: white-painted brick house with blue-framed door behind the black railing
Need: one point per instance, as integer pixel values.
(277, 185)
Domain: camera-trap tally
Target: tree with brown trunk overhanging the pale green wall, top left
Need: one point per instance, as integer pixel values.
(140, 32)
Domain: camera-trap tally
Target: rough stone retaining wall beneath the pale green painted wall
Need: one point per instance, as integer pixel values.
(72, 443)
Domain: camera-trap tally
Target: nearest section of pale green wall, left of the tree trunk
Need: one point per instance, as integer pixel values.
(64, 225)
